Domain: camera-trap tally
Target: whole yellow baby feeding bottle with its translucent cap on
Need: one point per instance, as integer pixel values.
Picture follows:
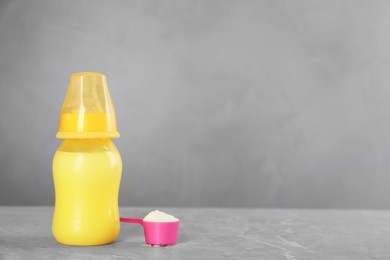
(87, 166)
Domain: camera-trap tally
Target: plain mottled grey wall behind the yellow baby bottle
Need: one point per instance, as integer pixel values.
(219, 103)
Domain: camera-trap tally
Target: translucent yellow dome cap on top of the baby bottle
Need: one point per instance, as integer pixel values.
(87, 111)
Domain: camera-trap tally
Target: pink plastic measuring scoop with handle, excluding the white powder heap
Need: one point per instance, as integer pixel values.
(157, 233)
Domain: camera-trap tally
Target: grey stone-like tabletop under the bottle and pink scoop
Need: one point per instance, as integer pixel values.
(213, 233)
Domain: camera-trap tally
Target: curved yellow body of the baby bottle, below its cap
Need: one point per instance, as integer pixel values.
(86, 175)
